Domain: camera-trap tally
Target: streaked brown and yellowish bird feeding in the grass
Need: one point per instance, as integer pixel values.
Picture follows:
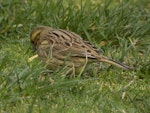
(58, 47)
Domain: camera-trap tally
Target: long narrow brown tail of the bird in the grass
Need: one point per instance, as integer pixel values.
(116, 63)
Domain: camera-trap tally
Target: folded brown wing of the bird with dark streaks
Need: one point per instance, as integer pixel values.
(66, 42)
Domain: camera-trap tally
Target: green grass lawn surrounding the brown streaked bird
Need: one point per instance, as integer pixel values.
(120, 29)
